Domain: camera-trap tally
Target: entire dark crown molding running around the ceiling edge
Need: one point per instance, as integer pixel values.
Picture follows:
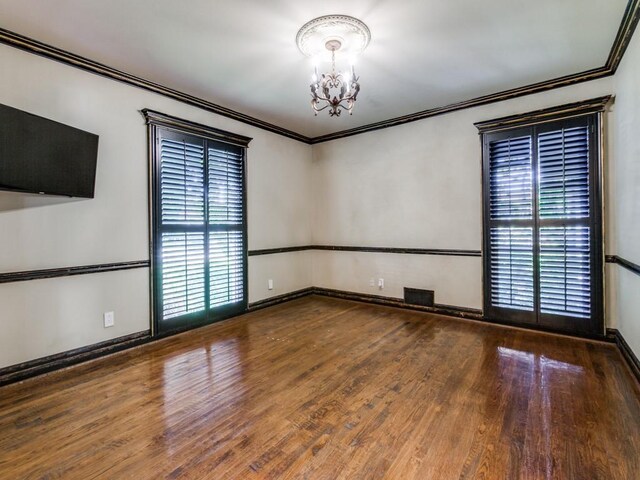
(623, 37)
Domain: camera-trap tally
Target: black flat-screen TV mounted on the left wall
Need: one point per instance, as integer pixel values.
(38, 155)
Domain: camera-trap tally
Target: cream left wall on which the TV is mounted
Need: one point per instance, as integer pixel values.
(39, 318)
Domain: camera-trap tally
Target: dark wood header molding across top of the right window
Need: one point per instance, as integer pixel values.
(569, 110)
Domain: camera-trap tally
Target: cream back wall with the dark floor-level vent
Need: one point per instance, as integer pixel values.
(416, 185)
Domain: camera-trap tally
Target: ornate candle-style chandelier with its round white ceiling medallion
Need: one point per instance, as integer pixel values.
(321, 39)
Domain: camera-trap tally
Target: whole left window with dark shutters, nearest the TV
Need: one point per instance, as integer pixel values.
(199, 223)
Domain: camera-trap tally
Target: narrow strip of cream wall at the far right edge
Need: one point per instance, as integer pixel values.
(625, 180)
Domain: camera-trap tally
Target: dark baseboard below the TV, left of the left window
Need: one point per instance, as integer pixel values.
(32, 368)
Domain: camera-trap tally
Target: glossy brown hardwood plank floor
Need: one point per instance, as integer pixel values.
(321, 388)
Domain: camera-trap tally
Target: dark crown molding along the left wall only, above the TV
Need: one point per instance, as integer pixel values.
(68, 58)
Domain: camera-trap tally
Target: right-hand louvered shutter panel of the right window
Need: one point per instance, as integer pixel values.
(565, 226)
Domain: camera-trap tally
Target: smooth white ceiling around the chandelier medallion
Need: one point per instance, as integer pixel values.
(241, 54)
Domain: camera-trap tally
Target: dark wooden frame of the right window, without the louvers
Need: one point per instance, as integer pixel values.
(535, 123)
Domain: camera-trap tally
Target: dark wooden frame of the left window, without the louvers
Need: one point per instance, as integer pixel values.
(156, 123)
